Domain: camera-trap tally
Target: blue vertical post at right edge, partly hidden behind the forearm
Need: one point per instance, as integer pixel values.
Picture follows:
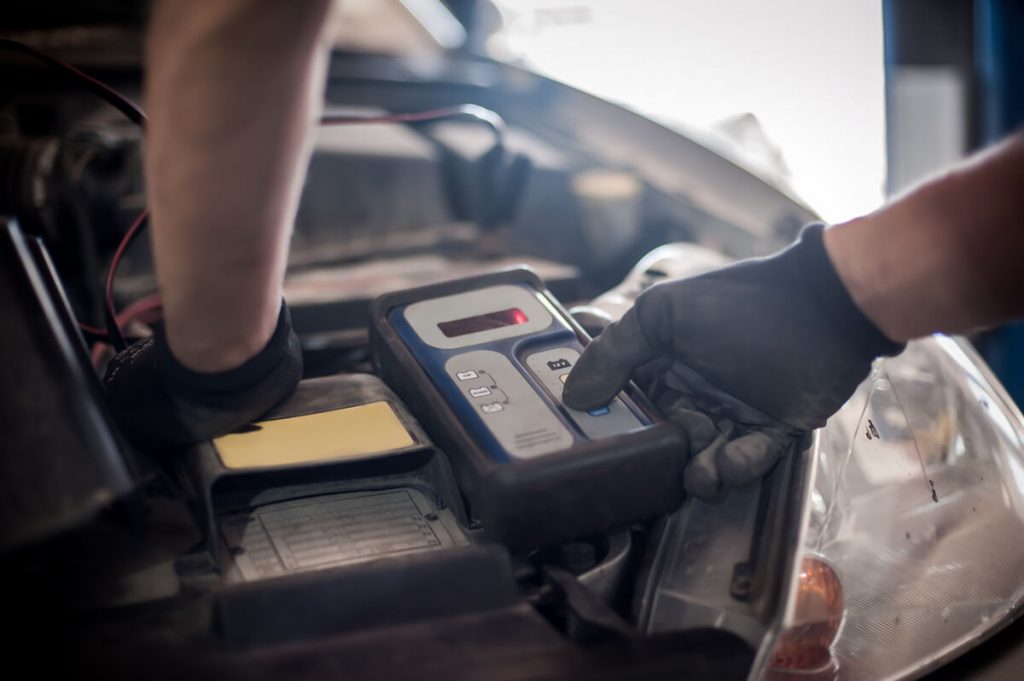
(1000, 60)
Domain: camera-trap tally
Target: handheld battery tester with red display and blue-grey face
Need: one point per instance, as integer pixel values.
(482, 362)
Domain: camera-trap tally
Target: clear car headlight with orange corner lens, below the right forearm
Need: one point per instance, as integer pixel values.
(914, 543)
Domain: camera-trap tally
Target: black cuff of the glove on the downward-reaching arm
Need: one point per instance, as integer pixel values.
(205, 388)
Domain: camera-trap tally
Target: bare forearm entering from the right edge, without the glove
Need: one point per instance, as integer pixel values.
(947, 257)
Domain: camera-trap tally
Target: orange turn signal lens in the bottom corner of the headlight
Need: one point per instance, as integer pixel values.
(819, 615)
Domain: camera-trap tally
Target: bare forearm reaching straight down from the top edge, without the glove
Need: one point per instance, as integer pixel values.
(233, 91)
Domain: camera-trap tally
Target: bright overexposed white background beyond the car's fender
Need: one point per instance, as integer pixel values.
(785, 88)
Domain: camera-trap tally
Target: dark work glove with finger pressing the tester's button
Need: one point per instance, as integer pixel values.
(746, 359)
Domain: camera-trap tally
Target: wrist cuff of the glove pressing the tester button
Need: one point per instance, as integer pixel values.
(809, 260)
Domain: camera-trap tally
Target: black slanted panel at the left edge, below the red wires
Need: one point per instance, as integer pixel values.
(69, 466)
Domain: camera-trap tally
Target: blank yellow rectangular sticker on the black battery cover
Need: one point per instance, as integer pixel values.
(353, 433)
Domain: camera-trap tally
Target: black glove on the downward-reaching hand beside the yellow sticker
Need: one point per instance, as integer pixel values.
(161, 404)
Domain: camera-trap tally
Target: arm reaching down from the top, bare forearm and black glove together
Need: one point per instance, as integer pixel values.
(233, 92)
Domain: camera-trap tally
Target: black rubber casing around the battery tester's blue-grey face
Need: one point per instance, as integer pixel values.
(591, 488)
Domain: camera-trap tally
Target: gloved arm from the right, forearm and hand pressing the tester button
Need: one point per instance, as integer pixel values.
(748, 358)
